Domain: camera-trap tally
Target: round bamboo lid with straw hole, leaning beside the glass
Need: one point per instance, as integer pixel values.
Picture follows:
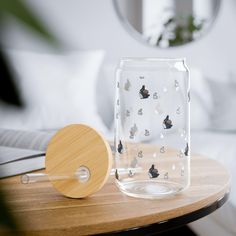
(78, 161)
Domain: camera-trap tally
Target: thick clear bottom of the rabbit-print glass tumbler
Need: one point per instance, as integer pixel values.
(149, 189)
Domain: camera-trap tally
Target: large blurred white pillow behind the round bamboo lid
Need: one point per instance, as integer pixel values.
(57, 90)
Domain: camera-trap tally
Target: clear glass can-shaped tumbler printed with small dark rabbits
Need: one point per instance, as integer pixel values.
(152, 127)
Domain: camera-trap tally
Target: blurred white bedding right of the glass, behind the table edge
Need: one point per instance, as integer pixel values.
(222, 147)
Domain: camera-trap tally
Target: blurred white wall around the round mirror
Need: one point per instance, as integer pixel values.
(93, 24)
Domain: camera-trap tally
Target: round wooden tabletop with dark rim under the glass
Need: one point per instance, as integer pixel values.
(43, 211)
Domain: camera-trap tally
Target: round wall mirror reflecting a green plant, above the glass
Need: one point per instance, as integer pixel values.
(167, 23)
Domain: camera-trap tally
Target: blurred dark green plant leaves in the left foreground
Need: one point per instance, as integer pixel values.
(8, 90)
